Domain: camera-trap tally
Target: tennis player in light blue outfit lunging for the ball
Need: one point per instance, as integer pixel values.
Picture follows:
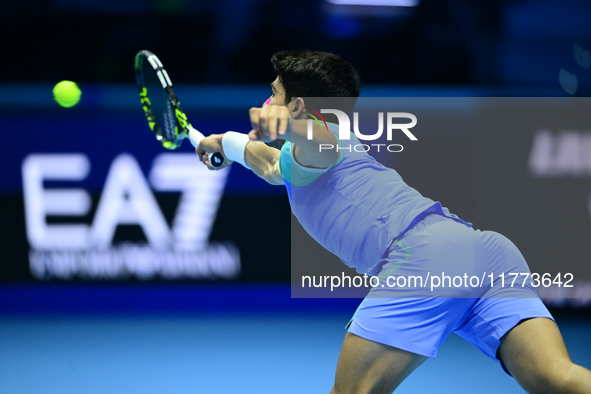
(391, 227)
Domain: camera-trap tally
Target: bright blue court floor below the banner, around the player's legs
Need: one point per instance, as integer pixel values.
(213, 353)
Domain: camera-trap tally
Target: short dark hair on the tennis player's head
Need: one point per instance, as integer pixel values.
(311, 74)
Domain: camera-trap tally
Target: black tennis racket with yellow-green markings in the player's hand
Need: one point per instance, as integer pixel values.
(162, 108)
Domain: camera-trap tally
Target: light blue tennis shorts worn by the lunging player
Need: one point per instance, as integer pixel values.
(481, 315)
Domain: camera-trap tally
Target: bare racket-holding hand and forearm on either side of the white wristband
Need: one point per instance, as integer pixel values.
(260, 158)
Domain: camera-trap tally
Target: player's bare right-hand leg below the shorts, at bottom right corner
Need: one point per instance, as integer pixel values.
(535, 354)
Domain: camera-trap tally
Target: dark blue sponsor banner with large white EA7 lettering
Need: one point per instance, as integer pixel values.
(90, 194)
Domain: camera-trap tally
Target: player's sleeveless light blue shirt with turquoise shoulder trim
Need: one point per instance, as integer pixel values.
(356, 207)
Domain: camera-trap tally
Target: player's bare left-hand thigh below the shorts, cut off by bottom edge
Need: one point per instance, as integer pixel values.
(370, 367)
